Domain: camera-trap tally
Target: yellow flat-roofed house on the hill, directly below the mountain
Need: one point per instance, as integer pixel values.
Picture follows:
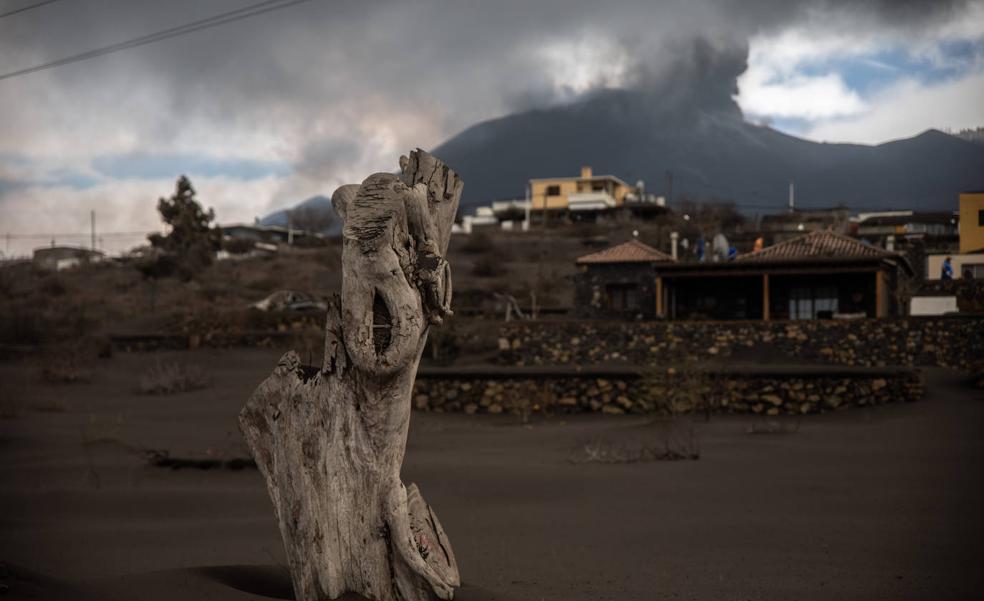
(588, 193)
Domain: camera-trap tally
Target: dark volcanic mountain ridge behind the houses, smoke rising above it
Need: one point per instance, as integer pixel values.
(712, 154)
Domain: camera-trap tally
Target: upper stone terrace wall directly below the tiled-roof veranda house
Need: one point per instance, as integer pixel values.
(956, 342)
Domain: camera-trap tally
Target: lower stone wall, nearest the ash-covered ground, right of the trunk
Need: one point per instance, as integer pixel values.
(667, 391)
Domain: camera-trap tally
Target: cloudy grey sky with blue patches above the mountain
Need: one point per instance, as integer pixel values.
(264, 112)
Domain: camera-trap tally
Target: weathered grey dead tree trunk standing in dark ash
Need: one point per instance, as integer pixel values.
(330, 441)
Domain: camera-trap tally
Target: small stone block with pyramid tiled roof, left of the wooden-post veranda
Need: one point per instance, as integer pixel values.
(619, 282)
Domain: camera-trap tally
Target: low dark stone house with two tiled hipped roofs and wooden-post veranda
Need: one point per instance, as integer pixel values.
(817, 275)
